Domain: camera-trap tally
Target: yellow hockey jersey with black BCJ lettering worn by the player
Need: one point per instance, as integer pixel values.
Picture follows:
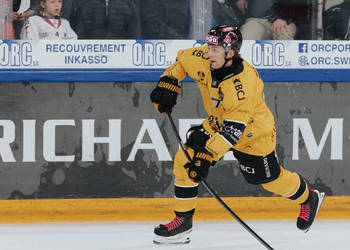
(233, 97)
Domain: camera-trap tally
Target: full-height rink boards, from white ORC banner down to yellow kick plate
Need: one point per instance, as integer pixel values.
(97, 150)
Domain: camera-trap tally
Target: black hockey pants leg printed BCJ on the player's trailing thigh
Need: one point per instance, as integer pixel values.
(258, 169)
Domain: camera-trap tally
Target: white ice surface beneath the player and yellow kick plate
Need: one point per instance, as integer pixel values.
(213, 235)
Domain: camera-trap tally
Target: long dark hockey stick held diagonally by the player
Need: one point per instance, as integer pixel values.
(211, 191)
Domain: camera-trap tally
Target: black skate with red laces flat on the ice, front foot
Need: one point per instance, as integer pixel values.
(175, 232)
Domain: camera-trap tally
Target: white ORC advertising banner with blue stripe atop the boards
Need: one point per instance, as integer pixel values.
(145, 60)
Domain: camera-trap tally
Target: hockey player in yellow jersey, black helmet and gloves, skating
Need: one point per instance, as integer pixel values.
(238, 120)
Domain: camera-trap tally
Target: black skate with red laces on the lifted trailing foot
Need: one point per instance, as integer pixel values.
(309, 210)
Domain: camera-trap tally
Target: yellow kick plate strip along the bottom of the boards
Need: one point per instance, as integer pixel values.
(160, 209)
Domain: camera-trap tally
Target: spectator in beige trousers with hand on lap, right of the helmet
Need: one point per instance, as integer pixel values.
(282, 20)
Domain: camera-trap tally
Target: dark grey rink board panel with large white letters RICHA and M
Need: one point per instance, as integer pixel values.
(105, 140)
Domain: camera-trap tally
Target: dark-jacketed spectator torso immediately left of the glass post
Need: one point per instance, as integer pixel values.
(164, 19)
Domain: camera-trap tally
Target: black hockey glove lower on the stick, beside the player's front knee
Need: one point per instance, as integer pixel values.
(198, 168)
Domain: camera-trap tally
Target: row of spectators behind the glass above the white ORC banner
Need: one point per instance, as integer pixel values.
(169, 19)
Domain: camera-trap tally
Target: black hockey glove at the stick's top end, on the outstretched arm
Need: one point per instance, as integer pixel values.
(164, 96)
